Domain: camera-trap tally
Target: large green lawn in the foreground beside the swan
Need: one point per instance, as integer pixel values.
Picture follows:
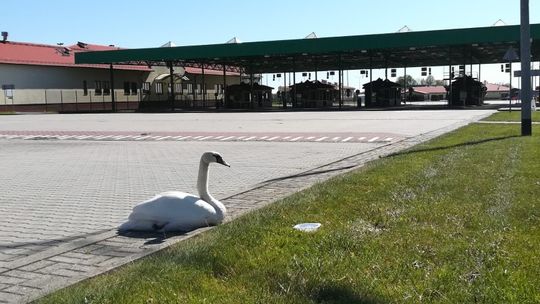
(455, 220)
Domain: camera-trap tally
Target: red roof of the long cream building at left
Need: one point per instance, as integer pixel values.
(54, 55)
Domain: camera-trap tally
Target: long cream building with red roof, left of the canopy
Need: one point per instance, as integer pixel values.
(40, 77)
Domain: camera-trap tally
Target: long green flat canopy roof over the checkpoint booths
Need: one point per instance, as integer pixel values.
(410, 49)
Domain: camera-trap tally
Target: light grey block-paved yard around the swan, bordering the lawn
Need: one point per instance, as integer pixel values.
(62, 199)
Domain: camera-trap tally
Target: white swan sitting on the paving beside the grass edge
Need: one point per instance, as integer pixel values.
(179, 211)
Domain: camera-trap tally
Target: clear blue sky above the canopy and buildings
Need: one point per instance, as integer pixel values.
(138, 24)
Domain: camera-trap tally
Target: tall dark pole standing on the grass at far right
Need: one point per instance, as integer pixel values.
(526, 125)
